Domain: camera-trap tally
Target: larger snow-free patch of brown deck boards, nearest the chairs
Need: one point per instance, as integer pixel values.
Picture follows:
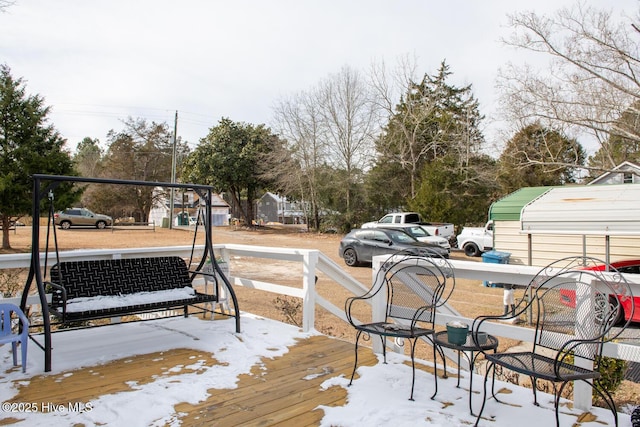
(287, 388)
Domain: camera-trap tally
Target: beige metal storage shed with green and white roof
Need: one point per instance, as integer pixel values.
(538, 225)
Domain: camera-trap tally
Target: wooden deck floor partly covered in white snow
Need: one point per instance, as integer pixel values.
(188, 371)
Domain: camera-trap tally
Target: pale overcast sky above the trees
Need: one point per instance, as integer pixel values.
(98, 62)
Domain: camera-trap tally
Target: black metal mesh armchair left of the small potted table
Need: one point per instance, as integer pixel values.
(412, 287)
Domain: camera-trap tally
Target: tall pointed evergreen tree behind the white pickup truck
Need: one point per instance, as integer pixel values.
(433, 120)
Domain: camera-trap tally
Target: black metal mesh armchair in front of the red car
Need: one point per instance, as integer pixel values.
(575, 308)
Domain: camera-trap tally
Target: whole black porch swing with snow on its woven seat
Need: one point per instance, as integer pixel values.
(82, 290)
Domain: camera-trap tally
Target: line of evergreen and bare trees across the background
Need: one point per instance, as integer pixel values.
(359, 144)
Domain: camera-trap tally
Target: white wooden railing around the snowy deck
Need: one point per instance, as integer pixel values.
(312, 262)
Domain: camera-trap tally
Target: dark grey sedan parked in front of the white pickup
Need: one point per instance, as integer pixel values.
(361, 245)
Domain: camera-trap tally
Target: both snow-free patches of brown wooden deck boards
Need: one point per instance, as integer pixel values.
(281, 391)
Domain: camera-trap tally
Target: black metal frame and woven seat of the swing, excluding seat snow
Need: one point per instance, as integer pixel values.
(43, 189)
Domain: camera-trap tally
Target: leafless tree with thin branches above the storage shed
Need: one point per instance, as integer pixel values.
(592, 74)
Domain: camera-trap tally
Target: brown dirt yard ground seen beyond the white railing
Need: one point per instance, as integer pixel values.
(470, 298)
